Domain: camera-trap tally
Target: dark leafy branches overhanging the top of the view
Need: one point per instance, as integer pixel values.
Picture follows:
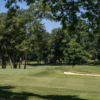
(64, 10)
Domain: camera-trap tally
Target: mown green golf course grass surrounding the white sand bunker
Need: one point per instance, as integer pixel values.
(49, 83)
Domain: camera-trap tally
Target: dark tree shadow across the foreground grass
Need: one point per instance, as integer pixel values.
(7, 94)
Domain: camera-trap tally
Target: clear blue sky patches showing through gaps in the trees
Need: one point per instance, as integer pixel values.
(48, 24)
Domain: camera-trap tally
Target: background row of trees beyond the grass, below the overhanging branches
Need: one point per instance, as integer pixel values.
(25, 35)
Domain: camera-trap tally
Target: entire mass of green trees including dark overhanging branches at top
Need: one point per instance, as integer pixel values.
(22, 35)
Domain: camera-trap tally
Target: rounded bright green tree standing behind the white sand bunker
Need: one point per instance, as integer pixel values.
(75, 53)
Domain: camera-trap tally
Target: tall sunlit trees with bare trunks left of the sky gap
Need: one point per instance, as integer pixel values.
(17, 34)
